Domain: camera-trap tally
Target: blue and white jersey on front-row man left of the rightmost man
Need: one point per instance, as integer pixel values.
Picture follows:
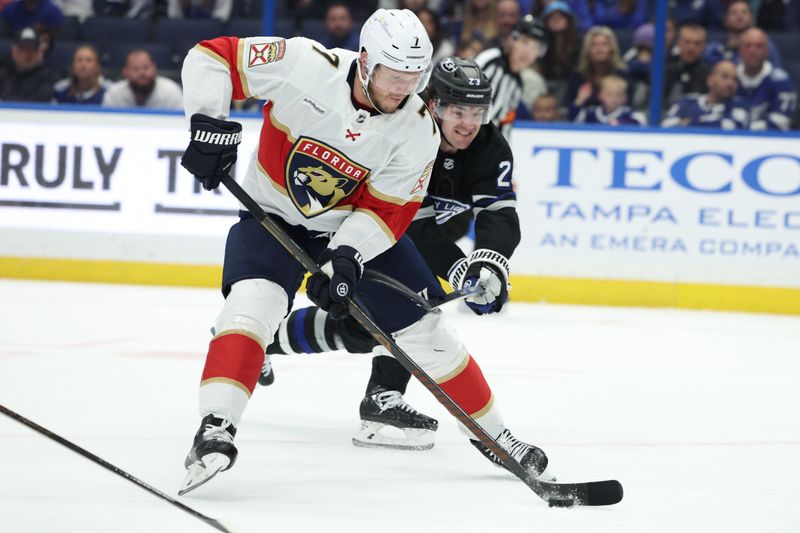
(695, 110)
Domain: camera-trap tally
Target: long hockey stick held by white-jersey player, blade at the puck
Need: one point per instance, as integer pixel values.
(606, 492)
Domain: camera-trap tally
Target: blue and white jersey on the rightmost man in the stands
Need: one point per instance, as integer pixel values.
(770, 95)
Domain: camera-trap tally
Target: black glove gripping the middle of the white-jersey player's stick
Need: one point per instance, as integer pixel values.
(329, 289)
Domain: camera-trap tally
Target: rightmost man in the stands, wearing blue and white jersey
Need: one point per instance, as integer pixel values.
(767, 89)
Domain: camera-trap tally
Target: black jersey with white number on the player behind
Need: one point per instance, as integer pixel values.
(475, 182)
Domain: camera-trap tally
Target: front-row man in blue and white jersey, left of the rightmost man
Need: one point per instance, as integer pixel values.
(719, 108)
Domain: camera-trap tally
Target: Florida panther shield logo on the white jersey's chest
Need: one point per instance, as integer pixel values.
(319, 177)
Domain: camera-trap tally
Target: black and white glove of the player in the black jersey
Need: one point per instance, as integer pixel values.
(488, 269)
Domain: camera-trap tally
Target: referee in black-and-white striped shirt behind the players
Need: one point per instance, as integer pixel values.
(502, 65)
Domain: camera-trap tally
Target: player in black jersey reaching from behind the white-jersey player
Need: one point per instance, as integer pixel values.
(471, 178)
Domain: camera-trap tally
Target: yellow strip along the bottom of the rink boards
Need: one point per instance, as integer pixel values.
(525, 288)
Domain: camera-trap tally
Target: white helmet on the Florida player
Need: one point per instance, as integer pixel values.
(396, 39)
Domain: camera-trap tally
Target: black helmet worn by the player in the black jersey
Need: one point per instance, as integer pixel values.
(459, 81)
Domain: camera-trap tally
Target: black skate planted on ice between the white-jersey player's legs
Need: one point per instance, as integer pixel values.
(387, 421)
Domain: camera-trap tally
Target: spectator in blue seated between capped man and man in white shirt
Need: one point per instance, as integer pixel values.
(85, 85)
